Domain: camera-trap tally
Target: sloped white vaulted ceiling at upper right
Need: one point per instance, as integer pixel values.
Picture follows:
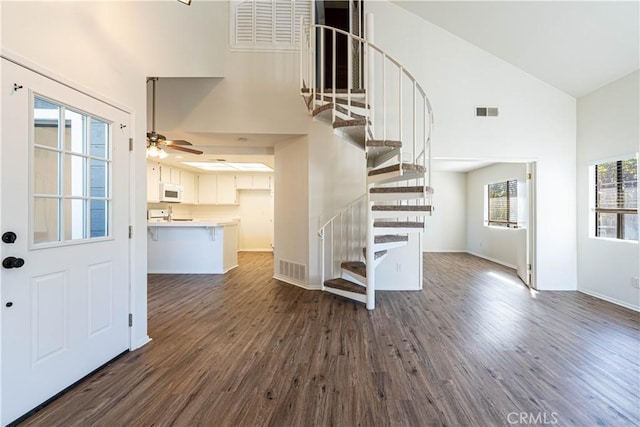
(575, 46)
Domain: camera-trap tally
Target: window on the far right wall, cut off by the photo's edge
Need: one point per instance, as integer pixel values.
(616, 199)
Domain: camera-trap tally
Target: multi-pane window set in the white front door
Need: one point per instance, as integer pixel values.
(71, 169)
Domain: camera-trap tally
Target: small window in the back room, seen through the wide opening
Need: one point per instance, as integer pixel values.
(502, 202)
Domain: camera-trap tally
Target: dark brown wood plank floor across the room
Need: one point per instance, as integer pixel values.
(475, 347)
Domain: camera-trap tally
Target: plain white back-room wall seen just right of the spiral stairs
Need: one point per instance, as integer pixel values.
(446, 228)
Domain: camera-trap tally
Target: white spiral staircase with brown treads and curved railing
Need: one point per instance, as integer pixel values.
(384, 111)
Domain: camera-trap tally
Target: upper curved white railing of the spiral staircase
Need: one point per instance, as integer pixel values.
(398, 106)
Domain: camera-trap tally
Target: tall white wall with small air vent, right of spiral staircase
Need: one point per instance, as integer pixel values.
(537, 123)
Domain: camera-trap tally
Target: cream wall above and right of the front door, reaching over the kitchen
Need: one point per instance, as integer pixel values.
(108, 49)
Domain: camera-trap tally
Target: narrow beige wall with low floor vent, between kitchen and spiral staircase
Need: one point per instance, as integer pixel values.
(291, 204)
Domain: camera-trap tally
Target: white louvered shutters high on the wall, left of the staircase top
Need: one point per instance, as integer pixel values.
(268, 25)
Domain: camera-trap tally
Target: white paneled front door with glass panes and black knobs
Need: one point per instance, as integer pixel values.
(64, 203)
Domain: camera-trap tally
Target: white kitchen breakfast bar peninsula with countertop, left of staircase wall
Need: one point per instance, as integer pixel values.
(192, 247)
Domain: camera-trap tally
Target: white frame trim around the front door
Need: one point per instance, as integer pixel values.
(30, 66)
